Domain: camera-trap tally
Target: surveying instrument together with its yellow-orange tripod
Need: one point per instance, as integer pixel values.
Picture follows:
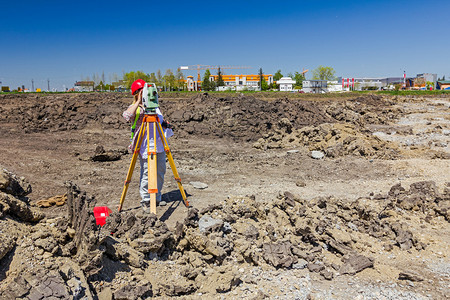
(151, 122)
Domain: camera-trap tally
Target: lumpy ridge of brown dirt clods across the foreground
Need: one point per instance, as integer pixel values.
(135, 256)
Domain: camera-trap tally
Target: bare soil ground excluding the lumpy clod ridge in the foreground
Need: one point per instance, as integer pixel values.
(215, 143)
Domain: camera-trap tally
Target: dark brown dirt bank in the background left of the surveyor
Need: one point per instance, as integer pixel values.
(61, 112)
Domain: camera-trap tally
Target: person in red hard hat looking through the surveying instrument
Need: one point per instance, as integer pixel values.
(135, 114)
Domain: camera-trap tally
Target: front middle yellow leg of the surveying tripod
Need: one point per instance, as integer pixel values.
(152, 169)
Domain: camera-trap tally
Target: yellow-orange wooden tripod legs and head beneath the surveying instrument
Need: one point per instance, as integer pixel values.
(148, 120)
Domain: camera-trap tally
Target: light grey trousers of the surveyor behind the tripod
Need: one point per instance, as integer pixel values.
(143, 181)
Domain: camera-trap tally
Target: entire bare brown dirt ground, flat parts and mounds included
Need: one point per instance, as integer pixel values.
(305, 198)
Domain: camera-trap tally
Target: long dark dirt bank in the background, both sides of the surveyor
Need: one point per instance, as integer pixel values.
(241, 117)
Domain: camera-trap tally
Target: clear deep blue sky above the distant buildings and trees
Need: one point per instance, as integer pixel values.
(65, 41)
